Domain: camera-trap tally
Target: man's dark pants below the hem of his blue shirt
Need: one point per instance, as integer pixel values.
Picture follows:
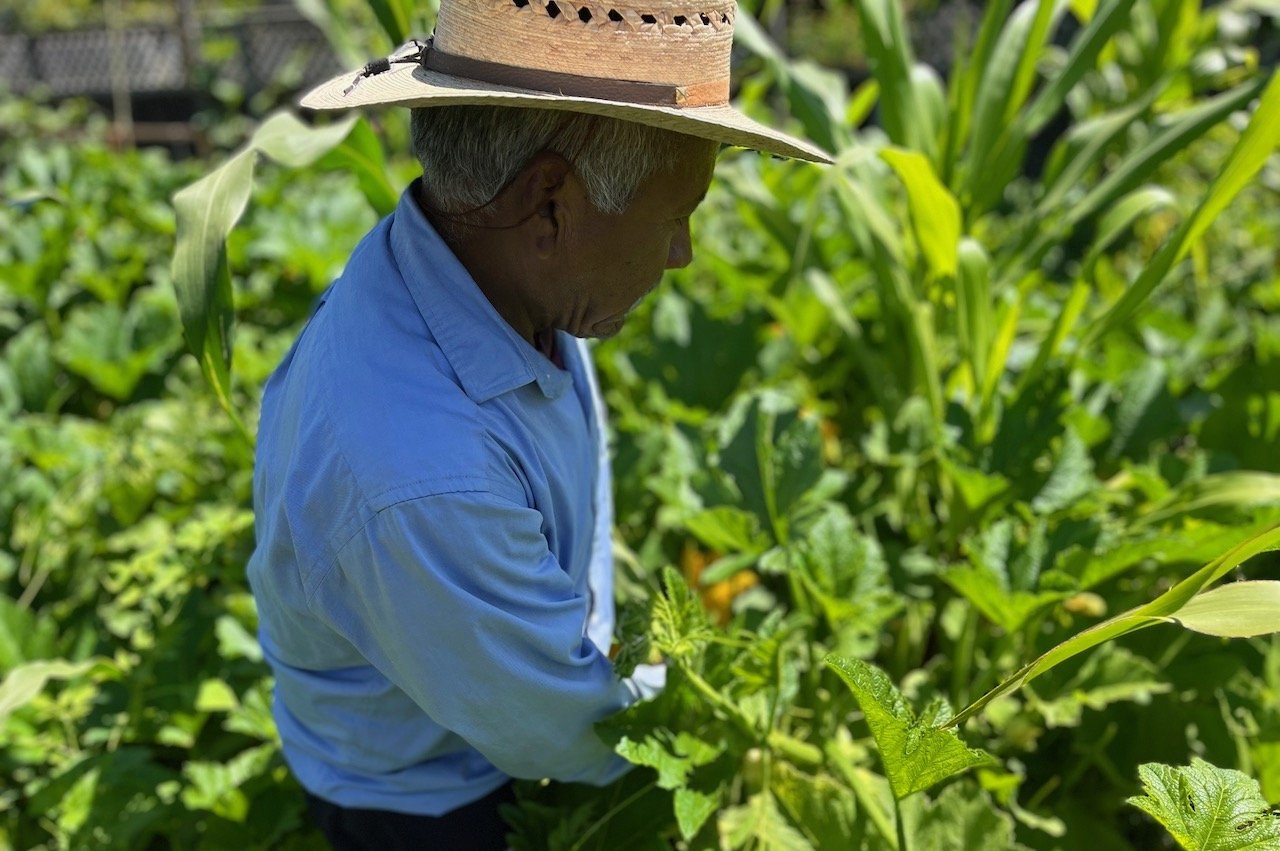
(473, 827)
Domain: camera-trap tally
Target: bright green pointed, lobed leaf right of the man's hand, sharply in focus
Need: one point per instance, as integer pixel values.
(916, 752)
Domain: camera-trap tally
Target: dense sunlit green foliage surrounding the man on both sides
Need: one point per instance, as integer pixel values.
(906, 427)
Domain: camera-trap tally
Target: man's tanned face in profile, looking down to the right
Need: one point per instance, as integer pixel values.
(611, 262)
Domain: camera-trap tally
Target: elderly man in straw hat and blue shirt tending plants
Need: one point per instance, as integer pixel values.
(433, 566)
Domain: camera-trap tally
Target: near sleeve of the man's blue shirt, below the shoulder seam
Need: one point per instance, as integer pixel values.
(458, 600)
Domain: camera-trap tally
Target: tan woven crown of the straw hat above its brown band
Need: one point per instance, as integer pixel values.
(675, 43)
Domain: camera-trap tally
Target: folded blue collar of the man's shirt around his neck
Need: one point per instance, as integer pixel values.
(483, 349)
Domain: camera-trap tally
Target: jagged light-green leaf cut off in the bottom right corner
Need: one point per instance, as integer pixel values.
(1208, 808)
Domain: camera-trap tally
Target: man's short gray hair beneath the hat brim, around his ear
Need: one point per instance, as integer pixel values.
(470, 153)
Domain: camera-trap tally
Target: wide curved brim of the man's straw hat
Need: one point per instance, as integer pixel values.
(412, 85)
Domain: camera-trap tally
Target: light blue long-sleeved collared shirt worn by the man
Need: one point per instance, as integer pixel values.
(433, 569)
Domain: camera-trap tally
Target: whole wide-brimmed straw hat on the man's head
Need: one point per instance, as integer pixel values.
(656, 62)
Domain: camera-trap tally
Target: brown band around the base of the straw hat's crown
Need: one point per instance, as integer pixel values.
(708, 94)
